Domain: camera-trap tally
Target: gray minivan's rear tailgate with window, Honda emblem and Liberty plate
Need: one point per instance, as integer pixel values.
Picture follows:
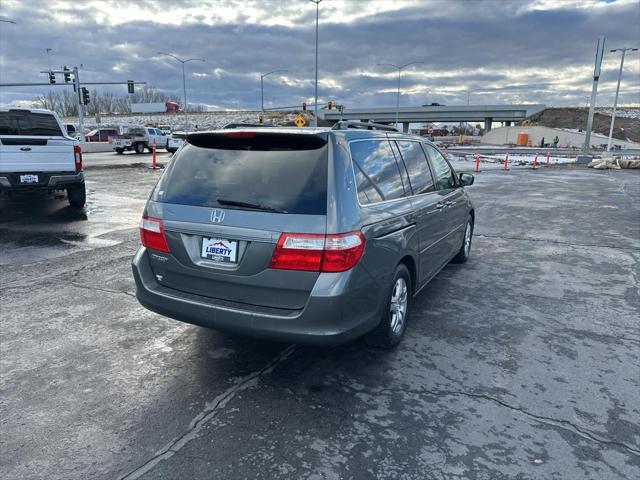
(224, 202)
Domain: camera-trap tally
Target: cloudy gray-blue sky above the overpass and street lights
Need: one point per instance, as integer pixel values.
(503, 51)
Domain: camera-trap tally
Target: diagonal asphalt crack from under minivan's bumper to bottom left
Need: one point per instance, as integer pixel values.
(210, 411)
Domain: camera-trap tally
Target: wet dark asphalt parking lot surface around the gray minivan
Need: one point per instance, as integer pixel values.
(523, 363)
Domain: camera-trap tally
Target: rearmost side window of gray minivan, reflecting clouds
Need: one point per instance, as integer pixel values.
(377, 173)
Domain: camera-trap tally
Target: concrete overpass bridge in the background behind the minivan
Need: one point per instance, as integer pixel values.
(457, 113)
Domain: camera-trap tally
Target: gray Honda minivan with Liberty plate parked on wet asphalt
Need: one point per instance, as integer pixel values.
(313, 236)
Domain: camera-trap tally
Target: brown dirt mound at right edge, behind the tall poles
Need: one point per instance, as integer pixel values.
(576, 118)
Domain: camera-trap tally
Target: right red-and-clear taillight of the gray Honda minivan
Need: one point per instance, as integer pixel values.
(318, 253)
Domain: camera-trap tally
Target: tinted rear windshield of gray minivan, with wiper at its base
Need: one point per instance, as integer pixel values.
(290, 181)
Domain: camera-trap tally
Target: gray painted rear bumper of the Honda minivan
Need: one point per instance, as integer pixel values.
(335, 312)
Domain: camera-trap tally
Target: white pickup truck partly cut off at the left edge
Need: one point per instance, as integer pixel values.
(37, 155)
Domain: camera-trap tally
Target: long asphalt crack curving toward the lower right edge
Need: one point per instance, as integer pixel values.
(560, 423)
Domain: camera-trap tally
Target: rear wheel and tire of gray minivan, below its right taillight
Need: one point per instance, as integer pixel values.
(394, 319)
